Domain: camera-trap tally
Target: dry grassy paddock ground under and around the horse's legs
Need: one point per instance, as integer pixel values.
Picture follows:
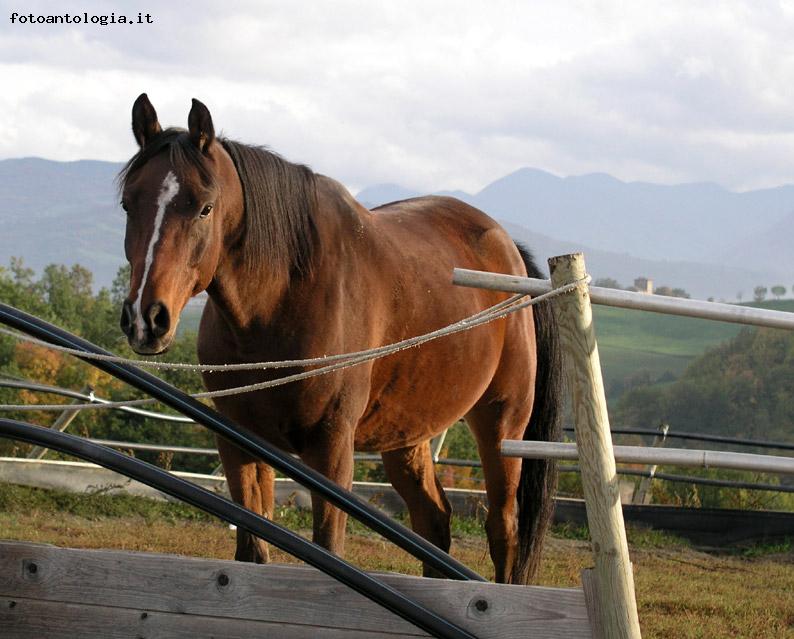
(681, 592)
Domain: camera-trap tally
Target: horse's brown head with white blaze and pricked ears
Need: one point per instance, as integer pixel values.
(183, 202)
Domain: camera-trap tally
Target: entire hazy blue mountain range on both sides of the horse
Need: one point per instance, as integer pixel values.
(711, 241)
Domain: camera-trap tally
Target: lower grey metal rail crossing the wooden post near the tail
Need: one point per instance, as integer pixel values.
(669, 456)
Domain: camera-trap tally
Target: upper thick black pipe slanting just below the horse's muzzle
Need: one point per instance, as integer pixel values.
(246, 441)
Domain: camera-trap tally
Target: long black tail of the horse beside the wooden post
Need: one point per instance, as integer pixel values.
(539, 476)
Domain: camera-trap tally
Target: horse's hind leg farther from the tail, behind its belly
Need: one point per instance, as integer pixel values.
(411, 472)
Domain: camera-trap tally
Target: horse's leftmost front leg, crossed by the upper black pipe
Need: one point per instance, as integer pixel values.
(251, 484)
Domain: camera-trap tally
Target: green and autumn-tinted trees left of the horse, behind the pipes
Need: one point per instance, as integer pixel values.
(64, 296)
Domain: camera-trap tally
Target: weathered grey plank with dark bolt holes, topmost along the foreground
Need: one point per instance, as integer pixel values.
(277, 593)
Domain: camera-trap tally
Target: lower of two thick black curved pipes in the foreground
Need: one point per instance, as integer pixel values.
(233, 513)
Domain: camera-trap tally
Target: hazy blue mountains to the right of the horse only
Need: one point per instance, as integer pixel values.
(704, 238)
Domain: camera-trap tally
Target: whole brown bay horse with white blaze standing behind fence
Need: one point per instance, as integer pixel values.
(296, 268)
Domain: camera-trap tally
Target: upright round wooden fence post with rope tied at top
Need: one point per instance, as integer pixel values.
(613, 581)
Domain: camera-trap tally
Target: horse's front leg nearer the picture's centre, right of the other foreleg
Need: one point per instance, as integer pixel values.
(330, 452)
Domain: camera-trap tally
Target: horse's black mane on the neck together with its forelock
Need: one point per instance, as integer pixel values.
(279, 198)
